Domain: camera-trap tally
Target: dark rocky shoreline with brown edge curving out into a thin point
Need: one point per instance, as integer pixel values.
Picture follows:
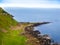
(39, 39)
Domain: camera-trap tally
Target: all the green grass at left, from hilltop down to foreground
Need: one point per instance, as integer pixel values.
(7, 35)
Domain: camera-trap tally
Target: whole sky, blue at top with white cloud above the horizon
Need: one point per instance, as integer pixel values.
(30, 3)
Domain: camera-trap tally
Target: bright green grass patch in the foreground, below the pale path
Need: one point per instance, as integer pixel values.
(13, 38)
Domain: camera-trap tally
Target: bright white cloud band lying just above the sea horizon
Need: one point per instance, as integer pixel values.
(31, 5)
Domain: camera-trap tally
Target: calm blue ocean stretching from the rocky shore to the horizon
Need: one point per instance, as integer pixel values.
(39, 15)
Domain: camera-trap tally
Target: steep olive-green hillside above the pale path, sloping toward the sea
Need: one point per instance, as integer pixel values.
(6, 20)
